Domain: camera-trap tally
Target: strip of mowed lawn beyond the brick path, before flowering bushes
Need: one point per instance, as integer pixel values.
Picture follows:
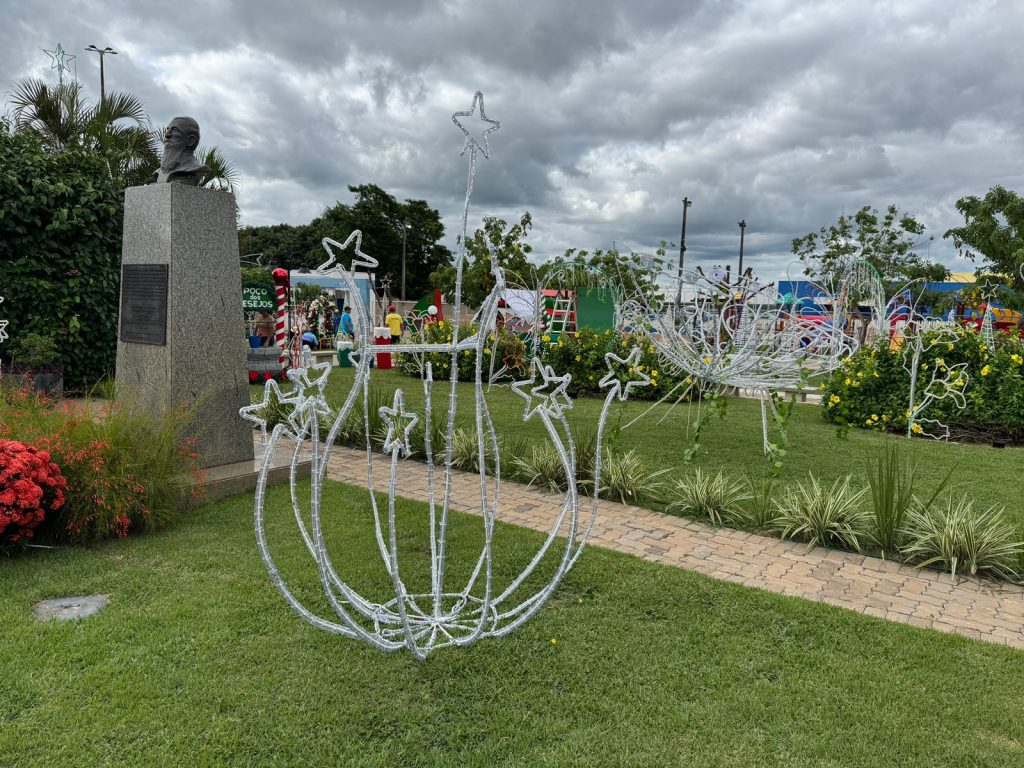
(733, 445)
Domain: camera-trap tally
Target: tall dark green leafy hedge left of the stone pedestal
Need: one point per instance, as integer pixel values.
(61, 251)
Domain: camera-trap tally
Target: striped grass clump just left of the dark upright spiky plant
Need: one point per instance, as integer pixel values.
(827, 517)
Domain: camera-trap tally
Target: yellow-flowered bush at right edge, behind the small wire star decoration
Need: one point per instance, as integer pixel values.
(872, 390)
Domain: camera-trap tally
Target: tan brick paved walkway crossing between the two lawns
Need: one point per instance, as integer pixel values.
(868, 585)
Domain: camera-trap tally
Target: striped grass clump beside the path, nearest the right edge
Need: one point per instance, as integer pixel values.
(957, 537)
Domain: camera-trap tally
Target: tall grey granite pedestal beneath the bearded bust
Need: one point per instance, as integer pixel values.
(192, 234)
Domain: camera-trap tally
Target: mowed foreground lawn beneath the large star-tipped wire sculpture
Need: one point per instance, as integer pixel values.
(199, 662)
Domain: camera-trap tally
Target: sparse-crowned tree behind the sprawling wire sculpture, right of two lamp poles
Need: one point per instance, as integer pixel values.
(886, 241)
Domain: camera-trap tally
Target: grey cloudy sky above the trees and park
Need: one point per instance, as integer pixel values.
(782, 113)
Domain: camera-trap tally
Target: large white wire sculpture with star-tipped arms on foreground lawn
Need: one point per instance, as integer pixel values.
(449, 614)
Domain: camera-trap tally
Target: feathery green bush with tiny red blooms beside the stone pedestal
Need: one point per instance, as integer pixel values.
(125, 473)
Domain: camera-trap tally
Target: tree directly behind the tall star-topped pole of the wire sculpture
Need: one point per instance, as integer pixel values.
(495, 244)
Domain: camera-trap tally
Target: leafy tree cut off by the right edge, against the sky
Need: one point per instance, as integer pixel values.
(994, 233)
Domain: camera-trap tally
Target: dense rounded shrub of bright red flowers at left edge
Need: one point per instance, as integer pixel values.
(31, 488)
